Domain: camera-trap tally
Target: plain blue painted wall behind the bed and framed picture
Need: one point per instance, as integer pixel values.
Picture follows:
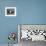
(28, 12)
